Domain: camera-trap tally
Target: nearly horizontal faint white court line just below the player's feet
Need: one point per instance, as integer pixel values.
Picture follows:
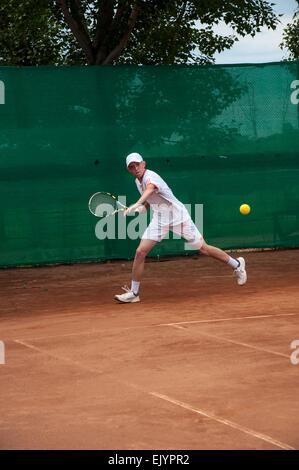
(124, 328)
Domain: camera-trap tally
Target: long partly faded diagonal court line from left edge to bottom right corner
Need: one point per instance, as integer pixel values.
(168, 399)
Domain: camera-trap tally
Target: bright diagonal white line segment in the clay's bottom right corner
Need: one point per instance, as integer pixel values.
(224, 421)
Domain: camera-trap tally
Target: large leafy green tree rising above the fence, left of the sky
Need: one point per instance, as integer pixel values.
(82, 32)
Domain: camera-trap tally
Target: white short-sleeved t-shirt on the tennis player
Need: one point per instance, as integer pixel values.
(165, 205)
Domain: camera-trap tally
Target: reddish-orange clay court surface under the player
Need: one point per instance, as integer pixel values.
(200, 363)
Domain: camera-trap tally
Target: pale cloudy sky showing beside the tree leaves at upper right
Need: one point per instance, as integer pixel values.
(264, 47)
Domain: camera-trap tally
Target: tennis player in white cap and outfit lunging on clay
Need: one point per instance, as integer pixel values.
(168, 214)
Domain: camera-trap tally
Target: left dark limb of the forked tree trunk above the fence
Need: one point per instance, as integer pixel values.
(77, 27)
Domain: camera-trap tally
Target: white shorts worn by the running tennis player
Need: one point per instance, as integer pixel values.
(187, 230)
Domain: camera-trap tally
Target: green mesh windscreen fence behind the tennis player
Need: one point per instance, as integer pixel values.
(219, 135)
